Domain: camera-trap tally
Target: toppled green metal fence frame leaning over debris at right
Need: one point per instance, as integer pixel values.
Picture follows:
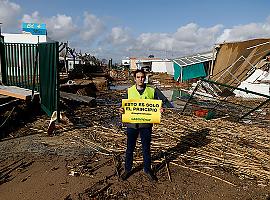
(225, 104)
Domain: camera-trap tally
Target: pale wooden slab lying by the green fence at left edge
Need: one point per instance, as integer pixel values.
(17, 92)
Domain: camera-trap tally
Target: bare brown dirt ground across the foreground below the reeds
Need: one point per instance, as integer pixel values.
(49, 177)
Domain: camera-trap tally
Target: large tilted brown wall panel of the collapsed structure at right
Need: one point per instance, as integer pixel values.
(235, 62)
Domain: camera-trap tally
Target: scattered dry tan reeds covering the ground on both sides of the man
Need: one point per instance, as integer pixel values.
(187, 141)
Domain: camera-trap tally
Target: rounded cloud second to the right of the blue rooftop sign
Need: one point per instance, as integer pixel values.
(92, 27)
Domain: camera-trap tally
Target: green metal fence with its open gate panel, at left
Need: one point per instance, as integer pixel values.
(32, 66)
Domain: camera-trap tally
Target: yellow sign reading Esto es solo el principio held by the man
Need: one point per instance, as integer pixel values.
(141, 111)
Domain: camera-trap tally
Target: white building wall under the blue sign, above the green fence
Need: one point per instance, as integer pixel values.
(24, 38)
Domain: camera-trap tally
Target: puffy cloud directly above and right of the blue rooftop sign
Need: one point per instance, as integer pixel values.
(60, 27)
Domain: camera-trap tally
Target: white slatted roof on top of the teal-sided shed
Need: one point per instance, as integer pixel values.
(191, 60)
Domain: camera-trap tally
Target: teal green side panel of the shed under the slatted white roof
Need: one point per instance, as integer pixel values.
(193, 71)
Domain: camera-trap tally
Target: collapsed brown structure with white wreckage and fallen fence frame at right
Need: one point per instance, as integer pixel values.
(237, 86)
